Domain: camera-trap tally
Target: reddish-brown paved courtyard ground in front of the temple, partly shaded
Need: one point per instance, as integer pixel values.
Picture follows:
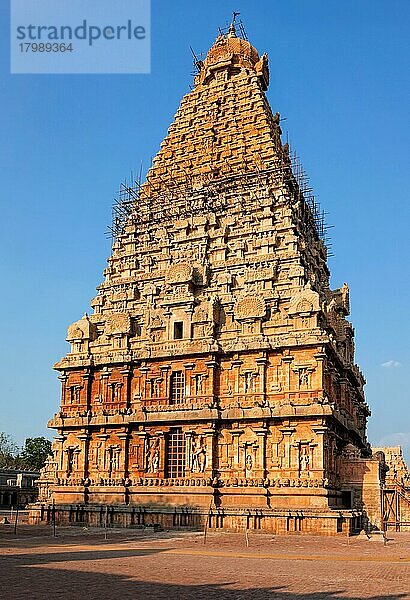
(81, 563)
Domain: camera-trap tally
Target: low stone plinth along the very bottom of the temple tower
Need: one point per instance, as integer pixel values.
(274, 521)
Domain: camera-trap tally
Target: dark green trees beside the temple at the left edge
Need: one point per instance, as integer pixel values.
(29, 457)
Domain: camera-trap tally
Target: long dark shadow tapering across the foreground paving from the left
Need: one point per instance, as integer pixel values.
(24, 576)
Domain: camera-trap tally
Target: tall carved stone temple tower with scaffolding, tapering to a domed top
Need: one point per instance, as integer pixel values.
(214, 383)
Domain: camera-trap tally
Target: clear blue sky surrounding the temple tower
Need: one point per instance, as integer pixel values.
(340, 76)
